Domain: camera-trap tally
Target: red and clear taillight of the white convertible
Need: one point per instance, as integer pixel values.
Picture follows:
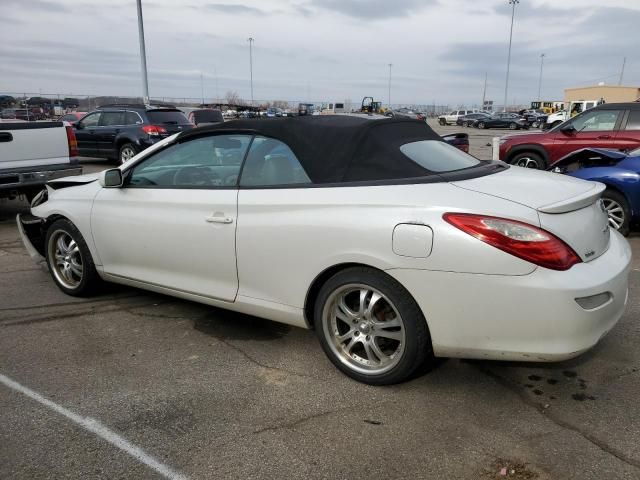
(517, 238)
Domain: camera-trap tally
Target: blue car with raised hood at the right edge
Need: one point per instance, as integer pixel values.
(619, 171)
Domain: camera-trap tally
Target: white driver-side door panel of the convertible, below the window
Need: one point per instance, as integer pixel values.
(170, 238)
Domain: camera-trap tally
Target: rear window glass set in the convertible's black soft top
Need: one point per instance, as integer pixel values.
(437, 156)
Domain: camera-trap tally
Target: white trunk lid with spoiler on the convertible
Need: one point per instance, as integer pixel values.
(543, 191)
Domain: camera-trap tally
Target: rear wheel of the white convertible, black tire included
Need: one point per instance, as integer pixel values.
(358, 343)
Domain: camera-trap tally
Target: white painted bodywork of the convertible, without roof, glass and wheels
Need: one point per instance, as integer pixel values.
(478, 301)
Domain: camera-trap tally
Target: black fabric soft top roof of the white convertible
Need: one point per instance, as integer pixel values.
(340, 148)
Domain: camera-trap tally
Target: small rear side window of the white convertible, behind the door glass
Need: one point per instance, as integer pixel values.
(271, 162)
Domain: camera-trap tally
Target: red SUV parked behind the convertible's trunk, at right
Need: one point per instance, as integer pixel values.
(614, 126)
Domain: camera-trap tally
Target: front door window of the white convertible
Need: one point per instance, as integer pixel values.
(205, 162)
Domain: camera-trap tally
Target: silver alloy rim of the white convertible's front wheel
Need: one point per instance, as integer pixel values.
(65, 259)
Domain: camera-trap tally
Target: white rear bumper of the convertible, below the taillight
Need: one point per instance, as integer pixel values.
(532, 317)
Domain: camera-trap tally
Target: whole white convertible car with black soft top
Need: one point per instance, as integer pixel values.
(394, 246)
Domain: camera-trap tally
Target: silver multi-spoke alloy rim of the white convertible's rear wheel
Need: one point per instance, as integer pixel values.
(363, 329)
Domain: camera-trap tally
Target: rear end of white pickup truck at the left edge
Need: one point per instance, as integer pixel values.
(31, 153)
